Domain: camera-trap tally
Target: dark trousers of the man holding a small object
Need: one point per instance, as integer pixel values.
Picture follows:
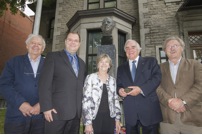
(139, 128)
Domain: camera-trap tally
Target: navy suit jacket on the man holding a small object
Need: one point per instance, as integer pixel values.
(145, 108)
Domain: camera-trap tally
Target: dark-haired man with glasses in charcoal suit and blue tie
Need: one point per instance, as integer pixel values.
(60, 88)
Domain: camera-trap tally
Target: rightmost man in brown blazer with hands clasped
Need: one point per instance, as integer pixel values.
(180, 91)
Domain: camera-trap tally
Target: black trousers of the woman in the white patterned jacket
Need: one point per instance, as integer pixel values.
(103, 124)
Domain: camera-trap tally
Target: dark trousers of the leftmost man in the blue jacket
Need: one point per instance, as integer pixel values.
(28, 126)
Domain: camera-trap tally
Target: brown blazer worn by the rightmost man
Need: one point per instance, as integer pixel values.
(188, 87)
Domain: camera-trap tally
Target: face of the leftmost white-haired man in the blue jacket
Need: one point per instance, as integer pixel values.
(35, 46)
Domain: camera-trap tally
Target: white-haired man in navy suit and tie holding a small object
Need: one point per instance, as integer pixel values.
(141, 104)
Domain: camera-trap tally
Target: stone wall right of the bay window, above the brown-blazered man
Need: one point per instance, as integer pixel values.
(157, 20)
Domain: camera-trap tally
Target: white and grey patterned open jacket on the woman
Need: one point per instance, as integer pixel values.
(92, 90)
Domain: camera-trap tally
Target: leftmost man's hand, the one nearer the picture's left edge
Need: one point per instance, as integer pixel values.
(26, 108)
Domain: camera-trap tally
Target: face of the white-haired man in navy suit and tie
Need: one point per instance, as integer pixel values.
(132, 50)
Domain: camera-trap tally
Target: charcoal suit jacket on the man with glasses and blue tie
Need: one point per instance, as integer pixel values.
(59, 88)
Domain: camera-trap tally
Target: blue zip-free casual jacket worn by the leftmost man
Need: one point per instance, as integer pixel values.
(18, 85)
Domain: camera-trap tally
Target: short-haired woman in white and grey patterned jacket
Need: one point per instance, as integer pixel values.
(101, 108)
